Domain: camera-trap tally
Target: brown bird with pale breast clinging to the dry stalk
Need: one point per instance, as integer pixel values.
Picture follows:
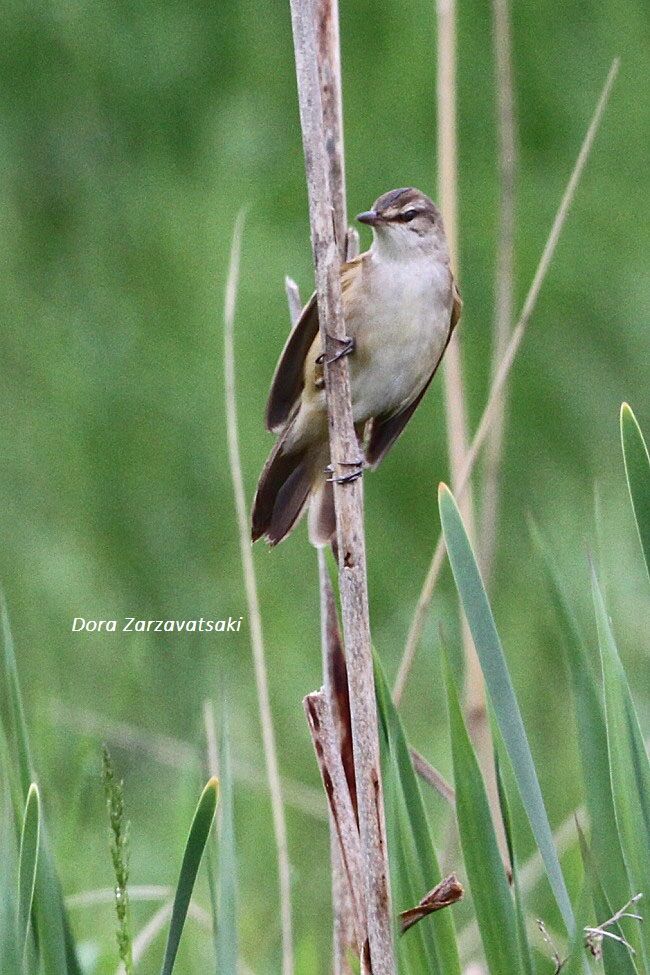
(400, 306)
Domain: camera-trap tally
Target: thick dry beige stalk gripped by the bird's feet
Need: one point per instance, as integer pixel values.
(348, 498)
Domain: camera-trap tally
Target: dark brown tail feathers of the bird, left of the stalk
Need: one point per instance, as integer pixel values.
(288, 478)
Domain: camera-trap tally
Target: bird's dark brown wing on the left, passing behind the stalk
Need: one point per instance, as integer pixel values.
(288, 380)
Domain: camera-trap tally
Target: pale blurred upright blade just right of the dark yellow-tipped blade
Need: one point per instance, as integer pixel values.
(227, 866)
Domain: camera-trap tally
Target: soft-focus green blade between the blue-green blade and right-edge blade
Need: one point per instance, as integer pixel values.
(592, 741)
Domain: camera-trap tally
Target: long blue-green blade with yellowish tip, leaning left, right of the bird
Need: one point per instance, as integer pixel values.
(497, 679)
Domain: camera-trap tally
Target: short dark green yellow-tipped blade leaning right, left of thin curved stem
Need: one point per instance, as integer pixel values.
(196, 841)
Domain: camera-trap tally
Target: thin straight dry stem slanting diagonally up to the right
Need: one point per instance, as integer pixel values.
(424, 601)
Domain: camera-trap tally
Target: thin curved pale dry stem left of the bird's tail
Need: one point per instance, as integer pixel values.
(254, 615)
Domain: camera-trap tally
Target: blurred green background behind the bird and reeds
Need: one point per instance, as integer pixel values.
(130, 136)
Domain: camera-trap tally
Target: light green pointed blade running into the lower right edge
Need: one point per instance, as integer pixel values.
(628, 762)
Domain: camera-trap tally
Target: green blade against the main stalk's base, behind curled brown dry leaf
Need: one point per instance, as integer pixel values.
(418, 865)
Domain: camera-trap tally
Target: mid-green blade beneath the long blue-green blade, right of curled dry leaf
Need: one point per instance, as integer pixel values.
(487, 879)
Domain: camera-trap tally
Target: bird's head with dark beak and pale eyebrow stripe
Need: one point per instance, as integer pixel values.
(406, 222)
